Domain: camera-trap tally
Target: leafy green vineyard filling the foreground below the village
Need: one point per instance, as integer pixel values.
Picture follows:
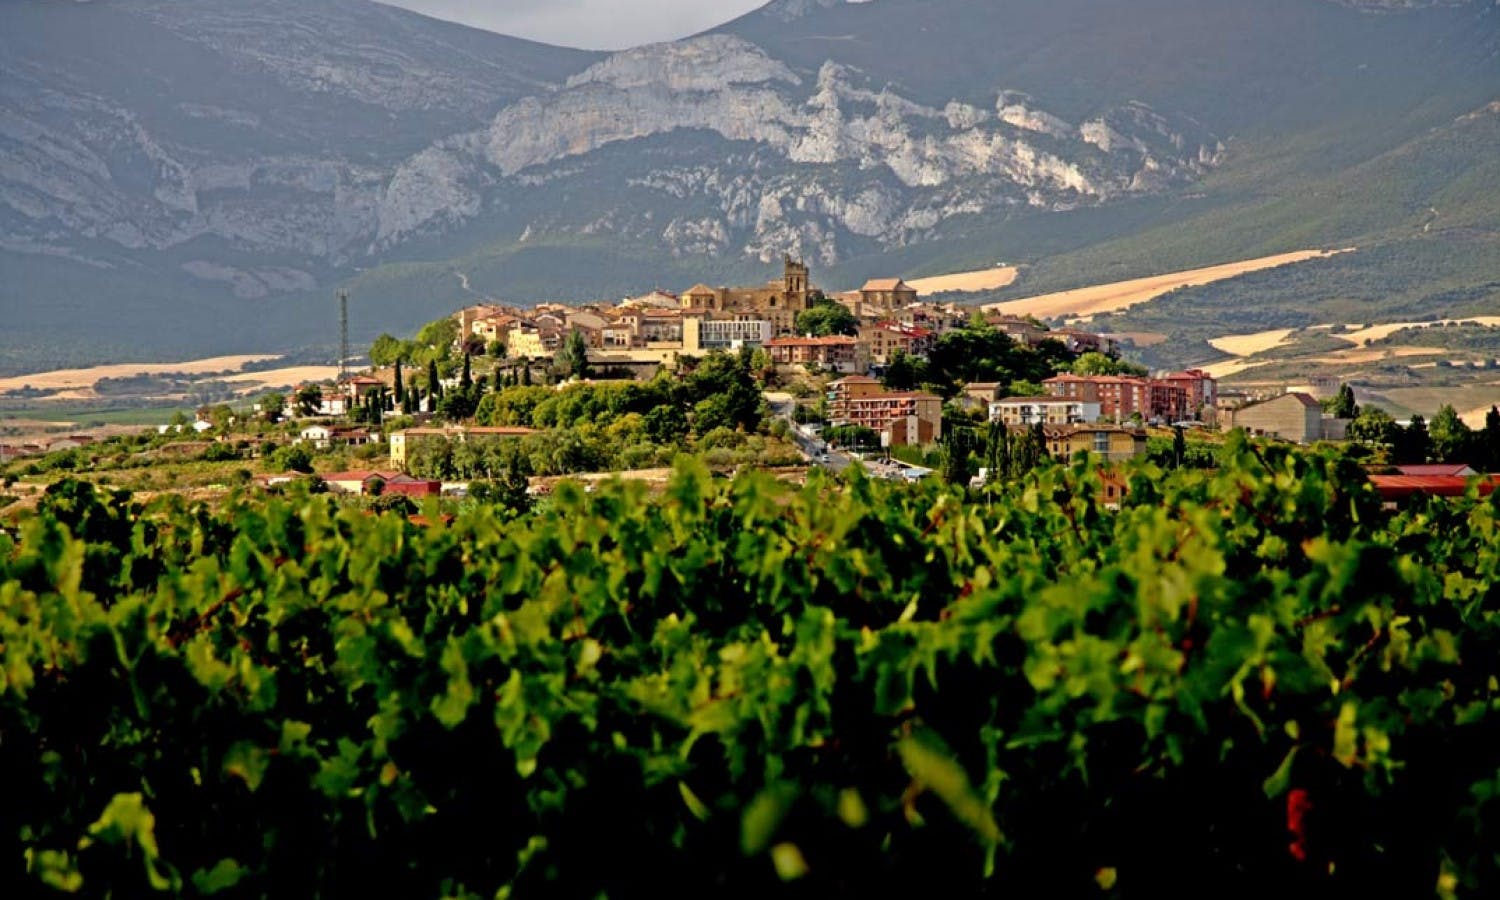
(1244, 680)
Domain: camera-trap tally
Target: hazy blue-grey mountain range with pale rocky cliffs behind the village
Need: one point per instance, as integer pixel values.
(200, 176)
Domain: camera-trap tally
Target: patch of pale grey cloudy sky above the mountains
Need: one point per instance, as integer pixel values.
(595, 25)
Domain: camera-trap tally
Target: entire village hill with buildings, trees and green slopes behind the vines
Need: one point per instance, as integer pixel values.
(500, 401)
